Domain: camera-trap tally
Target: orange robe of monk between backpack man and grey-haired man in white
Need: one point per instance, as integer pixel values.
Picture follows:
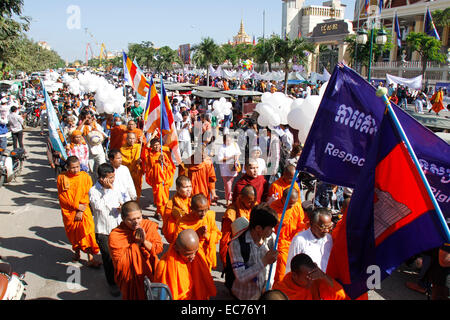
(294, 221)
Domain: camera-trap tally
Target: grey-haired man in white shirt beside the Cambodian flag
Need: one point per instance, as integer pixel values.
(316, 241)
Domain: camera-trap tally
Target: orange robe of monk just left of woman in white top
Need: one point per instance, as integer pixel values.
(202, 176)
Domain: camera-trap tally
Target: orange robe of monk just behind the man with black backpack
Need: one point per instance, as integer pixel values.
(234, 211)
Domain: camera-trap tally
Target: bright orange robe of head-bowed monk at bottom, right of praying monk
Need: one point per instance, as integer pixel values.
(186, 280)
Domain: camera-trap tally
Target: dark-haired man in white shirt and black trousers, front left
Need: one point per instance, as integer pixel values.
(106, 202)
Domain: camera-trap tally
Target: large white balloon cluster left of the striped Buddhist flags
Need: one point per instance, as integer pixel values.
(108, 98)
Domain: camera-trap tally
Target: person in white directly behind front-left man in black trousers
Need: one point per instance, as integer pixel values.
(123, 181)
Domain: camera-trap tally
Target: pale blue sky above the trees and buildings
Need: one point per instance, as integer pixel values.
(174, 22)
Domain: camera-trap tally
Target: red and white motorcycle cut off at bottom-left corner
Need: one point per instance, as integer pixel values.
(12, 285)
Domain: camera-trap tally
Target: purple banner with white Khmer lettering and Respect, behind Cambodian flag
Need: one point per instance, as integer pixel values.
(343, 130)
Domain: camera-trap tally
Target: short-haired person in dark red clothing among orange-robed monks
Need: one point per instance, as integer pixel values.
(251, 177)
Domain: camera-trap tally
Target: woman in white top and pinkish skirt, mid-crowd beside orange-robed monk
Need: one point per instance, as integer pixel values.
(228, 157)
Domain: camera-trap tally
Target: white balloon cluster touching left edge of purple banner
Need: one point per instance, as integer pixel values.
(277, 108)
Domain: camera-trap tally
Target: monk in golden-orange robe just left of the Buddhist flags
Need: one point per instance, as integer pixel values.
(131, 158)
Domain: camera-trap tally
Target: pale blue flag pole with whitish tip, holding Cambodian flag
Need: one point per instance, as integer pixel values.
(382, 94)
